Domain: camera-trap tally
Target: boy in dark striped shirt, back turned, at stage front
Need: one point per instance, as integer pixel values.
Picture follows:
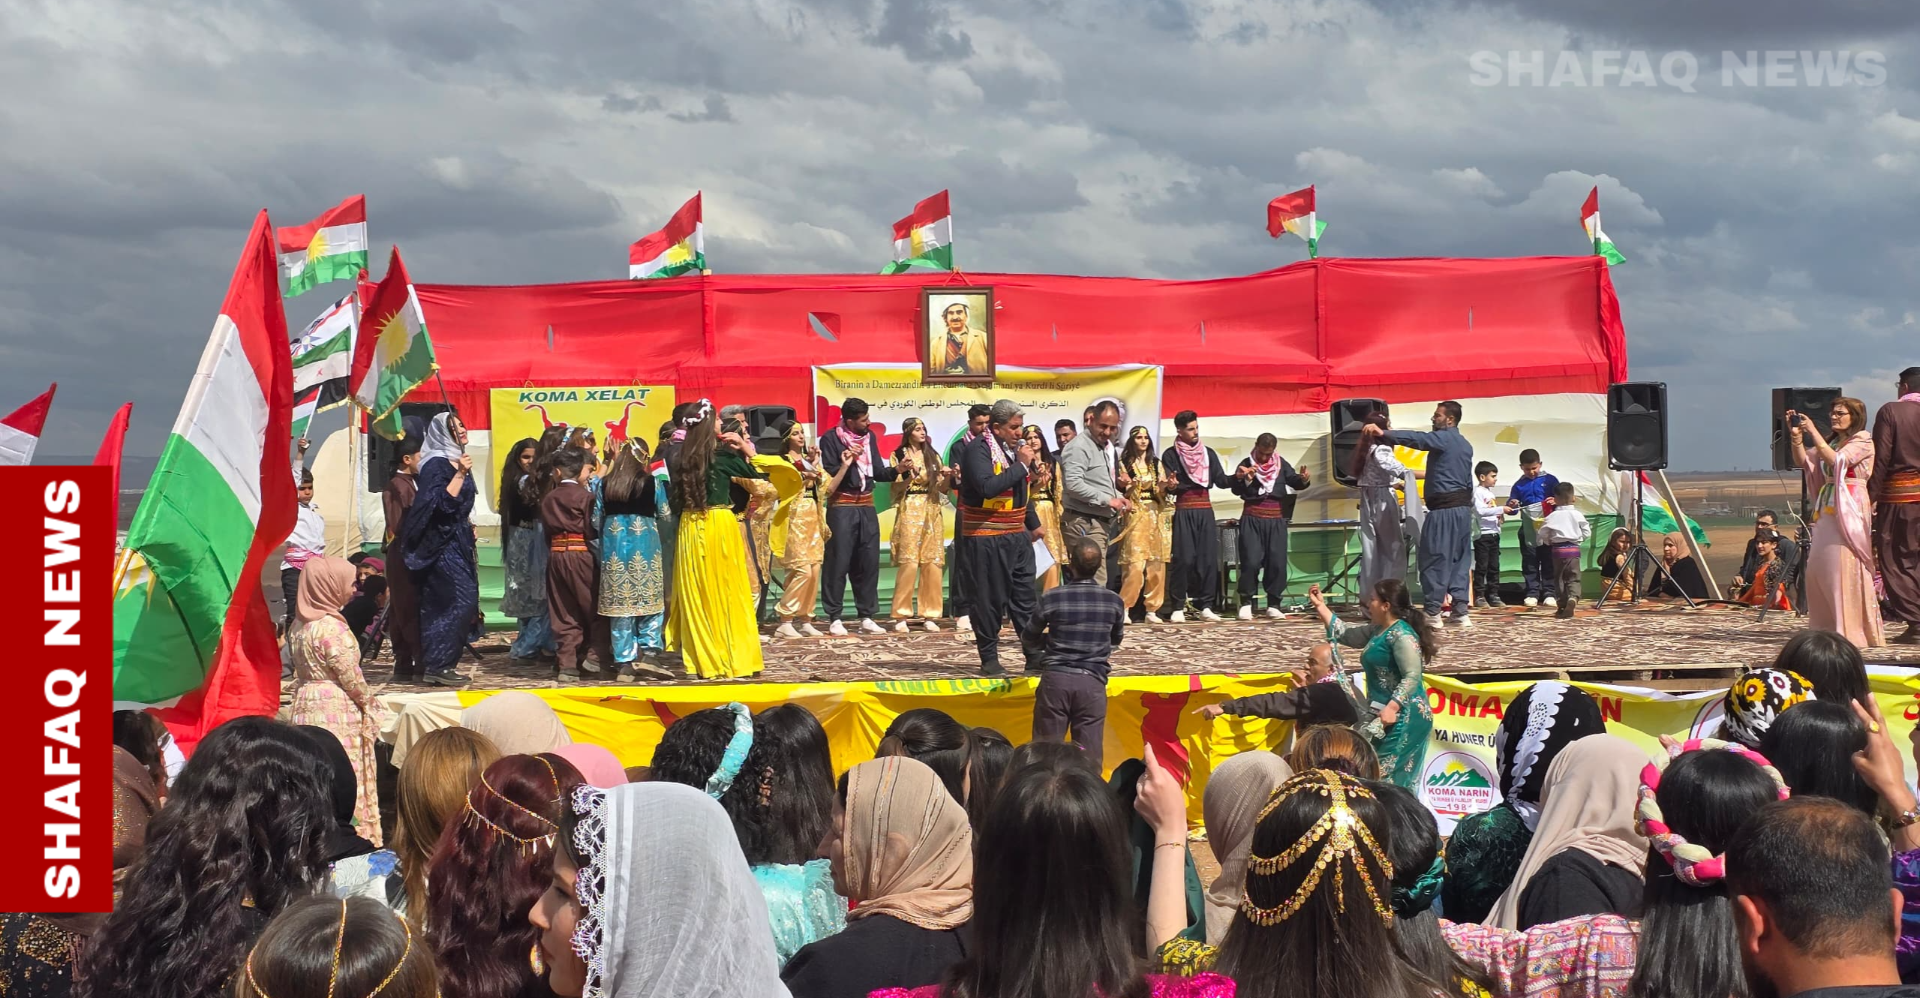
(1080, 625)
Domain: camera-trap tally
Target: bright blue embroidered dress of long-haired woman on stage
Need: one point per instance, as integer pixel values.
(633, 590)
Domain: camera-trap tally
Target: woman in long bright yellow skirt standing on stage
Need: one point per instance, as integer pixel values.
(711, 617)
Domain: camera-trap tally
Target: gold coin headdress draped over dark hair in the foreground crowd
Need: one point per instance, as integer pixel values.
(1343, 842)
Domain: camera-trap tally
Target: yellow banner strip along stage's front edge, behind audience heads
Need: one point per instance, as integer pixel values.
(1141, 709)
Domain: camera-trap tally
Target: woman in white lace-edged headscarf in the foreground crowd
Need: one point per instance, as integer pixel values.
(652, 899)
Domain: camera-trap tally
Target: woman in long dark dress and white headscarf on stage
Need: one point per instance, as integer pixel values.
(439, 548)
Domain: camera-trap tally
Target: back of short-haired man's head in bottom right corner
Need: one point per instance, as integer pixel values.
(1813, 903)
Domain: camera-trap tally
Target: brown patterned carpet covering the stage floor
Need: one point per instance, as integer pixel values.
(1666, 648)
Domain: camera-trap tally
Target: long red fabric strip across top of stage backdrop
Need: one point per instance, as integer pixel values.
(1287, 341)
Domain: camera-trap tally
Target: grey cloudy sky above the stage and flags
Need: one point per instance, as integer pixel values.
(1769, 222)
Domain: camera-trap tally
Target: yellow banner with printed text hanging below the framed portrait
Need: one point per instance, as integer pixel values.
(894, 394)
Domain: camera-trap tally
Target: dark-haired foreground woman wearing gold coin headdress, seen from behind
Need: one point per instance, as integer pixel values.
(1316, 915)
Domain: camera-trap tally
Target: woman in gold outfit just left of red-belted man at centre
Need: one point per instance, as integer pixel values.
(919, 529)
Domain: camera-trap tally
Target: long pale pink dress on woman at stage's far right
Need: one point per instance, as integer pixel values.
(1840, 567)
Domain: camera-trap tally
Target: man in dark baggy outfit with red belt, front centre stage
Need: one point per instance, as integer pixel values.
(999, 529)
